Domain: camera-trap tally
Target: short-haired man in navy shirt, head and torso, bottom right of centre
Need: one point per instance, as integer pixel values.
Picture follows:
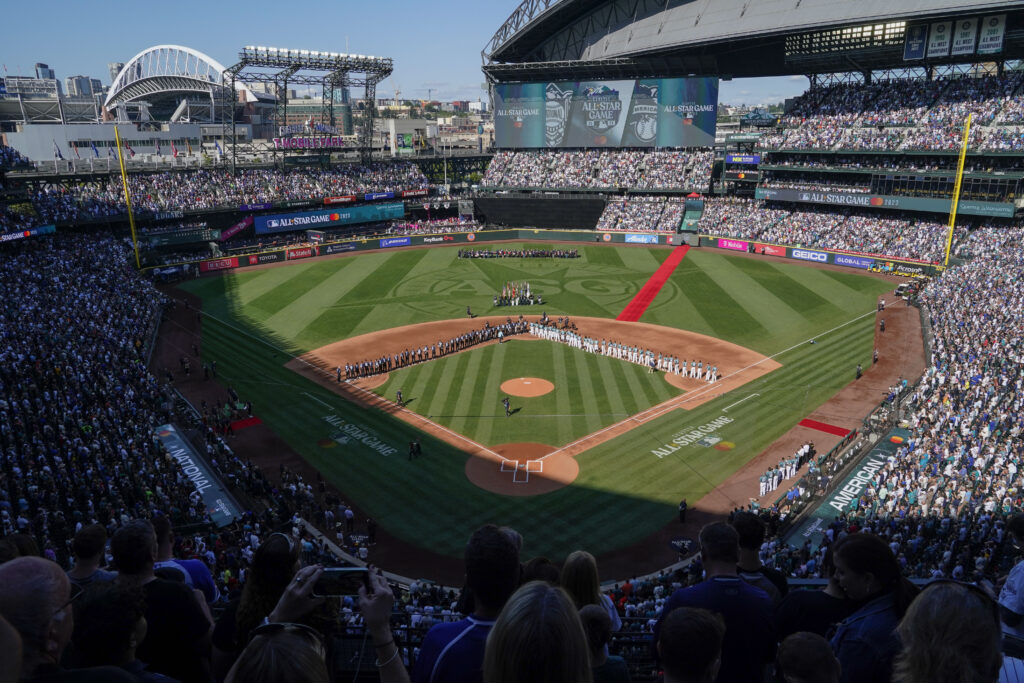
(749, 646)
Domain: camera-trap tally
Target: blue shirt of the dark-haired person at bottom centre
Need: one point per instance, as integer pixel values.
(453, 653)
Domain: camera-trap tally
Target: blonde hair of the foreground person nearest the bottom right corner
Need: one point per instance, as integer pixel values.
(951, 634)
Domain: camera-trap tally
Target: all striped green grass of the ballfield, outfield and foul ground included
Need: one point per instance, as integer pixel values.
(628, 487)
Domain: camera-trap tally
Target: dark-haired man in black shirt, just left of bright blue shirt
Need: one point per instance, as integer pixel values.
(179, 641)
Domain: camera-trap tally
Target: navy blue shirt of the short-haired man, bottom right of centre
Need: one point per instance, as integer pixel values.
(750, 628)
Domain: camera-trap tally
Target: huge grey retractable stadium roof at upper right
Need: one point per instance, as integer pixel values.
(733, 38)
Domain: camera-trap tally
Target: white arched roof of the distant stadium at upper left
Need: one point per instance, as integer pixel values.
(167, 71)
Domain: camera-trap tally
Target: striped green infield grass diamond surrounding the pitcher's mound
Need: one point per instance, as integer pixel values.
(462, 393)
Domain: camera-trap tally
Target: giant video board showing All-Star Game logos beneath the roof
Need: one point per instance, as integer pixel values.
(660, 112)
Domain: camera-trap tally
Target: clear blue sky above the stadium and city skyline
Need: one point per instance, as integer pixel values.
(435, 46)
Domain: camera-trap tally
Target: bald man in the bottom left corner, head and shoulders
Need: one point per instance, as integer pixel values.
(35, 599)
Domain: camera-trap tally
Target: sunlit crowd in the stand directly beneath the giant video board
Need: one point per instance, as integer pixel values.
(605, 169)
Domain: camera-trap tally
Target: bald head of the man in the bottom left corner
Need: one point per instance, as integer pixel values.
(33, 590)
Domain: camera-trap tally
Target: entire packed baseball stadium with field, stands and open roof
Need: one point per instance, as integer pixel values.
(624, 314)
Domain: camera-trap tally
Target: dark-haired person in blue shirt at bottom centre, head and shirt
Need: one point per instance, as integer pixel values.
(454, 653)
